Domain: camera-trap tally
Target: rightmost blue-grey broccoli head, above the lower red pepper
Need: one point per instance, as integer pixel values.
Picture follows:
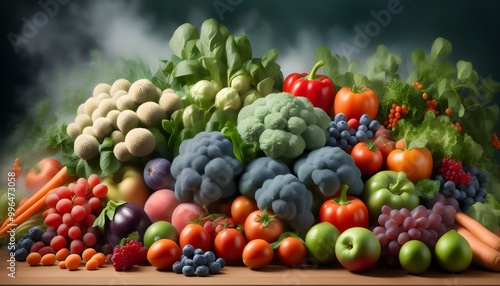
(328, 168)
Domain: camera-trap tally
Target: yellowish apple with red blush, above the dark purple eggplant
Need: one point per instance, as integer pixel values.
(127, 185)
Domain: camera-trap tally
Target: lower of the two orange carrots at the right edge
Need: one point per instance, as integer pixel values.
(482, 254)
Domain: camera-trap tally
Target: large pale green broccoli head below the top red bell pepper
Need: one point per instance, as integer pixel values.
(283, 125)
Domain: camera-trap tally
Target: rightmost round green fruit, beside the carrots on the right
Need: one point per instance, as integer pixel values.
(452, 251)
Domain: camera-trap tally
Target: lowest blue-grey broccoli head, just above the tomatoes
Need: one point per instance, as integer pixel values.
(289, 199)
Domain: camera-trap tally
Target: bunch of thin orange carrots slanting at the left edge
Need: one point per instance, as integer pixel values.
(36, 202)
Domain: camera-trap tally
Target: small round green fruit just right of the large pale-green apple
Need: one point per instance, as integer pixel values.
(415, 257)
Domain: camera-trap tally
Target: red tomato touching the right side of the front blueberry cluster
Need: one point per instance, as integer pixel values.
(229, 245)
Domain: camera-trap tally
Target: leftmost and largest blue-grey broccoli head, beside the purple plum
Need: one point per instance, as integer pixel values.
(205, 169)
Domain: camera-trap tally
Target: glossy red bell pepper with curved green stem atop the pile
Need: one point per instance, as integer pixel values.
(319, 89)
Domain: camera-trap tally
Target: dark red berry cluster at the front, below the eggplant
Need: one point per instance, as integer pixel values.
(127, 255)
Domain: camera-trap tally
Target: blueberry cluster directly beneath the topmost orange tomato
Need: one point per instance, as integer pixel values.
(345, 133)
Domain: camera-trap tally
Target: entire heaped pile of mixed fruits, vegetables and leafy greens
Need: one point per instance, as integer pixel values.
(219, 159)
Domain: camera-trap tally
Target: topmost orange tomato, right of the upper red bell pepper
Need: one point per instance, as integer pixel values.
(354, 102)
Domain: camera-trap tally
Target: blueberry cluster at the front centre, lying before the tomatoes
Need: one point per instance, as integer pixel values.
(198, 262)
